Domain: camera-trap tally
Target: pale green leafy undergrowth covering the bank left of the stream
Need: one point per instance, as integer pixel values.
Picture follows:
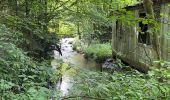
(21, 77)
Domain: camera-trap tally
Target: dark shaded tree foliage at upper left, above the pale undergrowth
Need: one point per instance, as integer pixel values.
(30, 19)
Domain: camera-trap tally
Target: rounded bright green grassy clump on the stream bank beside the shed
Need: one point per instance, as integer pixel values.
(99, 52)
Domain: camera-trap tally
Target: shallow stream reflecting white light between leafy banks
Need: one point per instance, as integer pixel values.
(75, 59)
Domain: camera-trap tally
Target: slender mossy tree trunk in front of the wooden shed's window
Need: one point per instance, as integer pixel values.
(148, 5)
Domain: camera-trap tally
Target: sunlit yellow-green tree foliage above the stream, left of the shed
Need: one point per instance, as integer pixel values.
(95, 17)
